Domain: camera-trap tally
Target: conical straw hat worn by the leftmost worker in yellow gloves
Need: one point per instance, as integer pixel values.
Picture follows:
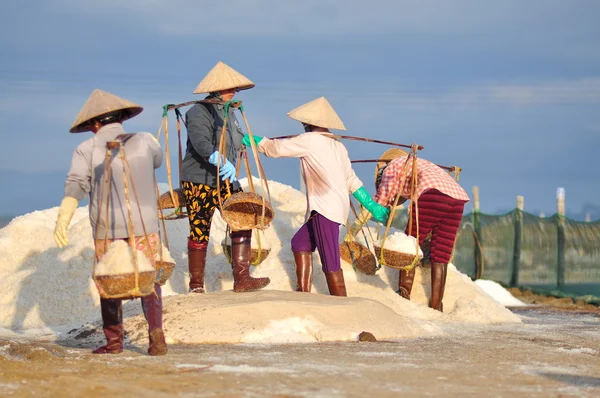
(101, 103)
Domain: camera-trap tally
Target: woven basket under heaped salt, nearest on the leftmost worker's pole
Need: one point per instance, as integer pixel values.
(122, 286)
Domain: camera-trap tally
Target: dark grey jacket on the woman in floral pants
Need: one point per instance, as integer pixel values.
(204, 124)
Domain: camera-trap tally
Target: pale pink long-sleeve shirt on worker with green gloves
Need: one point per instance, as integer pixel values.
(326, 170)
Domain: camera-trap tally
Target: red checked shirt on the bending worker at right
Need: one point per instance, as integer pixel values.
(429, 176)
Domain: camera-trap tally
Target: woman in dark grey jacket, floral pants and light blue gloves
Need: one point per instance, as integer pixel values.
(199, 176)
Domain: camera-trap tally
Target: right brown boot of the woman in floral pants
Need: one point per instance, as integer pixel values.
(240, 263)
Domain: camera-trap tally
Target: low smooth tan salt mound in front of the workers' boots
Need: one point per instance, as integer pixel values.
(274, 317)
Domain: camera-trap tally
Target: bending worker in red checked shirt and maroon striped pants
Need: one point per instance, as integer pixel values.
(441, 201)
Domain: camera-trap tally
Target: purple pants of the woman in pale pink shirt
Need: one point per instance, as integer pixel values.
(322, 234)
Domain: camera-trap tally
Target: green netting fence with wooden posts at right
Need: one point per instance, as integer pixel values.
(554, 255)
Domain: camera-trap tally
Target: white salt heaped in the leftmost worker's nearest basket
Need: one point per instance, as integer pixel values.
(118, 260)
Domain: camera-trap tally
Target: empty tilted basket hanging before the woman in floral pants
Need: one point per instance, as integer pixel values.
(242, 211)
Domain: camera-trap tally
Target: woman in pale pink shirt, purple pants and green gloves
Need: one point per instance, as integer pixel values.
(329, 179)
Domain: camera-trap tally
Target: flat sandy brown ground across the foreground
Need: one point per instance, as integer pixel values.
(552, 354)
